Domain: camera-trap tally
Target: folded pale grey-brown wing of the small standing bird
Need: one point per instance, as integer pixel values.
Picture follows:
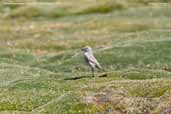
(90, 57)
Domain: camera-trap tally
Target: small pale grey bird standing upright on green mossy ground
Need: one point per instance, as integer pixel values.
(90, 59)
